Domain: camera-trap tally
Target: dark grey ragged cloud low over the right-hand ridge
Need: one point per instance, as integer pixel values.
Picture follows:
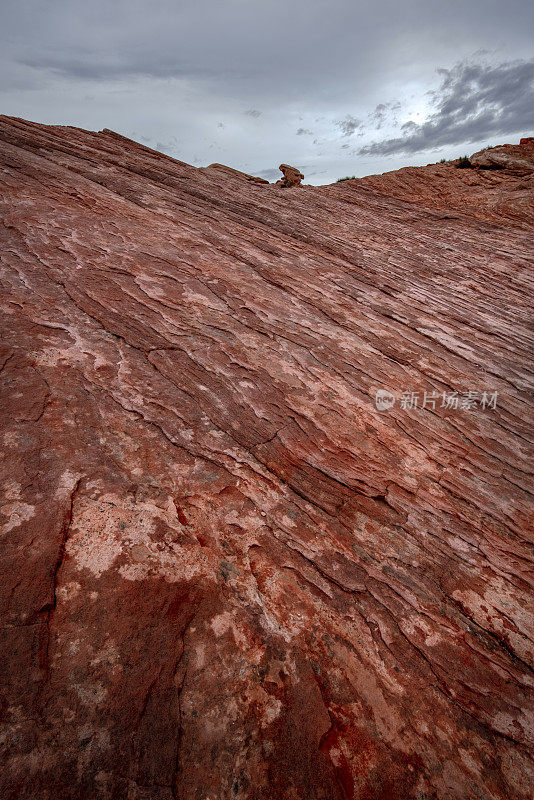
(475, 102)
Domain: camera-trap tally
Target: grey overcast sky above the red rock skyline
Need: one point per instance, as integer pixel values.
(335, 87)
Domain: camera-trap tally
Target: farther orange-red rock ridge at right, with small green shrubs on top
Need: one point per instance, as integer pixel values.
(501, 195)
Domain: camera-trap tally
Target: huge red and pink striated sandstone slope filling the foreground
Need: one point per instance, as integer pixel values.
(225, 573)
